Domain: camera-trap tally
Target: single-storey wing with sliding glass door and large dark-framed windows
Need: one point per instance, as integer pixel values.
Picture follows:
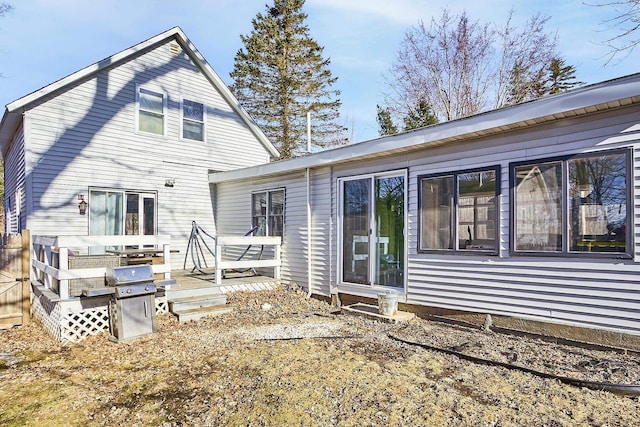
(530, 211)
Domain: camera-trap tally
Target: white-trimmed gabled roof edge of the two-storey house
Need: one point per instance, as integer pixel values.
(13, 111)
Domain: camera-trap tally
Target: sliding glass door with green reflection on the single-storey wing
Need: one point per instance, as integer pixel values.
(372, 229)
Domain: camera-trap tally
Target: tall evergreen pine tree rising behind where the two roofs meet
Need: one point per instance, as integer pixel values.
(280, 75)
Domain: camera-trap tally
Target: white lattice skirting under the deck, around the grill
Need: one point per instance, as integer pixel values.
(72, 324)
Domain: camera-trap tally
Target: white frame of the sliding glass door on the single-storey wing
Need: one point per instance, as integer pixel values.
(371, 286)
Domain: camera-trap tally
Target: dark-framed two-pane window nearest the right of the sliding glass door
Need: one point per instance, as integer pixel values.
(459, 211)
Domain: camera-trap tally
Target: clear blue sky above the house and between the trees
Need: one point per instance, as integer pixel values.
(44, 40)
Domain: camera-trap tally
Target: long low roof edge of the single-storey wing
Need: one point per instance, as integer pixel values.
(585, 100)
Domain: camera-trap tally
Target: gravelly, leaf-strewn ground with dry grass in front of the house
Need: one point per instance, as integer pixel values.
(282, 359)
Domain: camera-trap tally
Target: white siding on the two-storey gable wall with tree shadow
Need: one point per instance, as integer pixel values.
(86, 136)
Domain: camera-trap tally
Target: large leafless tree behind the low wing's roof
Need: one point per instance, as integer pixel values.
(460, 67)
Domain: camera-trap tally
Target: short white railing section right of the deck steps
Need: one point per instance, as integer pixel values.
(222, 242)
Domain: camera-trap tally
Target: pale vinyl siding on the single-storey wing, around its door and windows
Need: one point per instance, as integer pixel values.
(600, 293)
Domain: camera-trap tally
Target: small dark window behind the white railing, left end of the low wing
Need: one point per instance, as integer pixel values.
(268, 213)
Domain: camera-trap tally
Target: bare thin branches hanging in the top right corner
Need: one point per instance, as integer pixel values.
(627, 22)
